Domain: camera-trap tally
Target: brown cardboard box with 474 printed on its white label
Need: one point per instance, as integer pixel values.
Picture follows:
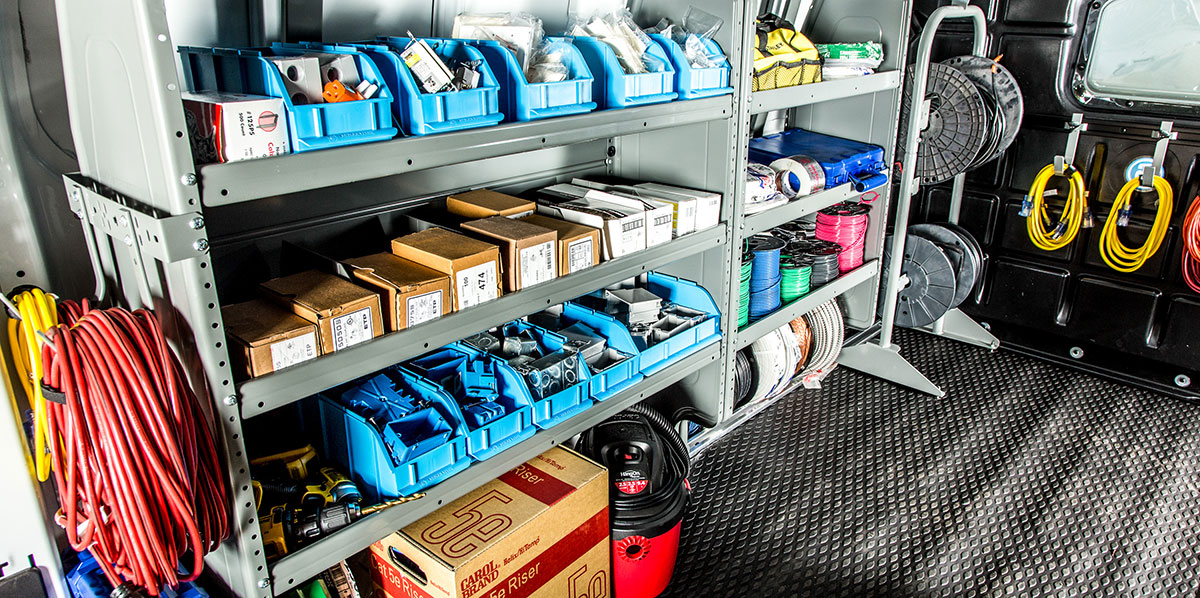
(473, 266)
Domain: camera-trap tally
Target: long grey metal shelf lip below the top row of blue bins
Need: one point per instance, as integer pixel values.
(255, 180)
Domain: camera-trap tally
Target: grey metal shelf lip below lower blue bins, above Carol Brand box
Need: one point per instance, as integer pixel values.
(303, 565)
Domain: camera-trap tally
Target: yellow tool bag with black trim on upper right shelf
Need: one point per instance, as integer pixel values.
(783, 57)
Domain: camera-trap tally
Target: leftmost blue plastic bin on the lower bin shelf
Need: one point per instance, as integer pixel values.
(370, 429)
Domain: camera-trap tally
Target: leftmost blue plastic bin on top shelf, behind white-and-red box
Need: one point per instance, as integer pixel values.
(311, 127)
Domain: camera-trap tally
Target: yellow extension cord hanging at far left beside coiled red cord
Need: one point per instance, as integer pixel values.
(39, 313)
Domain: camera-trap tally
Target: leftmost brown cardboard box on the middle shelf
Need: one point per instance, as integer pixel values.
(265, 338)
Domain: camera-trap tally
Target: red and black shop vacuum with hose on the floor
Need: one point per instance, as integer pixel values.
(649, 468)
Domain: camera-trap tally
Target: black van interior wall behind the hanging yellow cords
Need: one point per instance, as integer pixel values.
(1141, 327)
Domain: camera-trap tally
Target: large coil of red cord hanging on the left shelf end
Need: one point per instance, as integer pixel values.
(135, 462)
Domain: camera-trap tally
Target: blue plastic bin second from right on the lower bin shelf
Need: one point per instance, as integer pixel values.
(621, 368)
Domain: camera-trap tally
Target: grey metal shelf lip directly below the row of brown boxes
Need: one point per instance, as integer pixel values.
(274, 391)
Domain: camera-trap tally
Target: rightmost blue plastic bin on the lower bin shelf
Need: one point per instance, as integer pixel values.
(693, 297)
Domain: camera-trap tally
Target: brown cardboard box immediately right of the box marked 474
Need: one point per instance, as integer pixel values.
(530, 253)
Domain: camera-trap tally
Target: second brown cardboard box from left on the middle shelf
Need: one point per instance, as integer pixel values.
(345, 313)
